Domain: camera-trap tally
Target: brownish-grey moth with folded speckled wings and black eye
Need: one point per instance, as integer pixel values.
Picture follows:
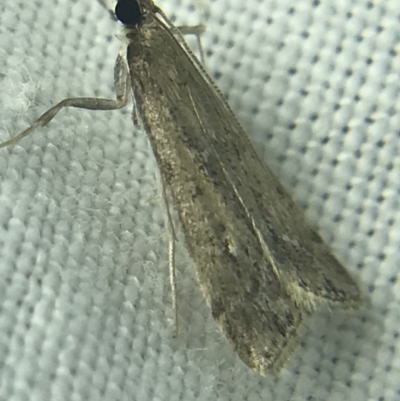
(261, 266)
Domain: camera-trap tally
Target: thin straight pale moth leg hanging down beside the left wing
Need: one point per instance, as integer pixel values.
(171, 256)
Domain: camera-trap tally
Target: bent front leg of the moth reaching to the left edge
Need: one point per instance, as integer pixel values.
(122, 89)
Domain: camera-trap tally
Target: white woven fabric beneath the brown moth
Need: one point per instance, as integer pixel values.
(85, 300)
